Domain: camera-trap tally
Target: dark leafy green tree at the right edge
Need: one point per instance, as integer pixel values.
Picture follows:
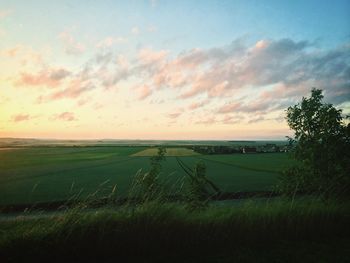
(321, 140)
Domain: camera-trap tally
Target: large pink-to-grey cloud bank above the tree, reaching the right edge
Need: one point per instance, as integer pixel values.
(219, 72)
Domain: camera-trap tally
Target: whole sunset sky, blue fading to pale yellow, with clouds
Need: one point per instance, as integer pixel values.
(205, 70)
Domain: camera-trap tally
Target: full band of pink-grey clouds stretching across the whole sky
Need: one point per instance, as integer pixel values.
(274, 74)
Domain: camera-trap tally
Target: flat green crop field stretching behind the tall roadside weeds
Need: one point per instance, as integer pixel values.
(45, 174)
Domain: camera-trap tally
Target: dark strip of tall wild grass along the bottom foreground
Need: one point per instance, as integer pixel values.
(271, 231)
